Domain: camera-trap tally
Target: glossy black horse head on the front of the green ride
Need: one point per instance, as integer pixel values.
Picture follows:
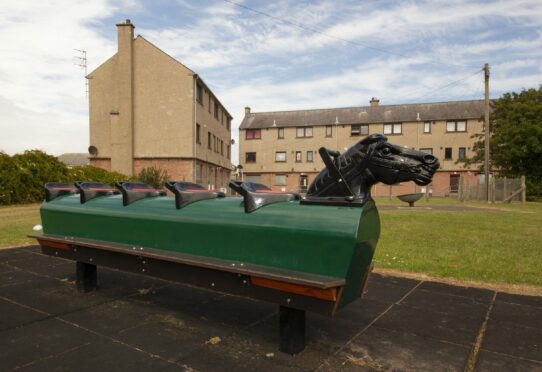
(348, 177)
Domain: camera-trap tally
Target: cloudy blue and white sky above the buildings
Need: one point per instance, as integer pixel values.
(269, 55)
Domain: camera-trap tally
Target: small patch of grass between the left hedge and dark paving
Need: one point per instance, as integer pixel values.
(16, 222)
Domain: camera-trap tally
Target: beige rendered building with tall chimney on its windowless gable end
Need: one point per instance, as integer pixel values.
(147, 109)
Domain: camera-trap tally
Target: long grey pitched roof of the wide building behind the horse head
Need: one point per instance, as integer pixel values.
(473, 109)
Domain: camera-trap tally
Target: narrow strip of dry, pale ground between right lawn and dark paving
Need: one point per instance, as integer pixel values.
(521, 289)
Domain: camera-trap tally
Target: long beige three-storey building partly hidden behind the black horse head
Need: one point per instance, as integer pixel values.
(280, 149)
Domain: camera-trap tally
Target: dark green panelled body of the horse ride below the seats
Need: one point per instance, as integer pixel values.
(326, 240)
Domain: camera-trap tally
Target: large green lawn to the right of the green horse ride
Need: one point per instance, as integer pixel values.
(503, 245)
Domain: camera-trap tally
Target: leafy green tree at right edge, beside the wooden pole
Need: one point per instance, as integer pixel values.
(516, 138)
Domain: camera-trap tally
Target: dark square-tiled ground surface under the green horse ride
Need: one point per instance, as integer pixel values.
(138, 323)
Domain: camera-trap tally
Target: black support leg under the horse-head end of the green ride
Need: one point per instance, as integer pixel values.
(292, 330)
